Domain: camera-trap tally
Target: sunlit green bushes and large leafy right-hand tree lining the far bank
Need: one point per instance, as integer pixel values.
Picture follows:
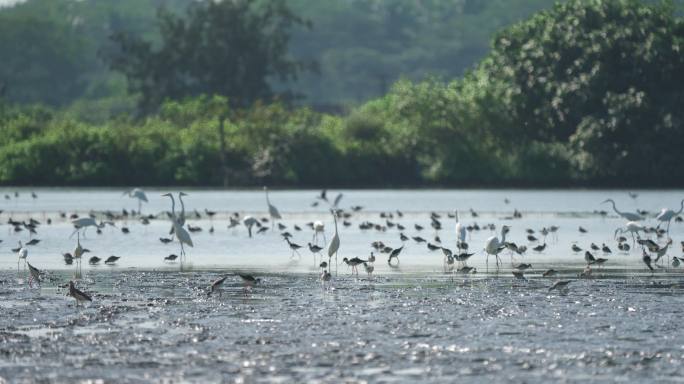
(587, 93)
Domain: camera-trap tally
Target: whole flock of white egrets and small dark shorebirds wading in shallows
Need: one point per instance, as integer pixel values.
(654, 241)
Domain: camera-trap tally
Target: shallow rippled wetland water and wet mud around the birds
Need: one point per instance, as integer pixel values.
(150, 322)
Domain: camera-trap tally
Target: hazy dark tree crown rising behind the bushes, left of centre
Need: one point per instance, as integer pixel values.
(229, 48)
